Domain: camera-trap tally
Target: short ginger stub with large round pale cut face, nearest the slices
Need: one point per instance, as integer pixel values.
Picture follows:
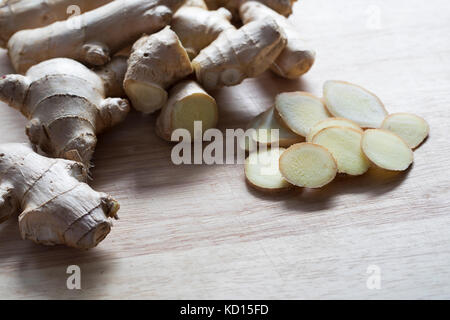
(187, 103)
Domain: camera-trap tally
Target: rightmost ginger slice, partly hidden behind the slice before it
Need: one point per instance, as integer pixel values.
(411, 128)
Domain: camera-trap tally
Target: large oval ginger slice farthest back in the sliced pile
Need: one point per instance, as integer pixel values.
(355, 103)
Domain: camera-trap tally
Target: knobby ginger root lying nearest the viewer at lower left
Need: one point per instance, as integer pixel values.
(55, 205)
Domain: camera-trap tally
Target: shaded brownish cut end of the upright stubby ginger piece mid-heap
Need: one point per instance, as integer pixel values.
(145, 97)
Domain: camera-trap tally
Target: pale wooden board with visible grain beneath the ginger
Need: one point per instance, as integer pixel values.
(200, 232)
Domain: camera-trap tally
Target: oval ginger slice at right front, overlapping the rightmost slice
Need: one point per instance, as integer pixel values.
(386, 150)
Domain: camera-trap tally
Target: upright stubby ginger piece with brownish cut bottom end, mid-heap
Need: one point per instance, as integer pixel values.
(156, 62)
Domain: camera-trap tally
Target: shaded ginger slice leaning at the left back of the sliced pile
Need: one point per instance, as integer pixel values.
(264, 123)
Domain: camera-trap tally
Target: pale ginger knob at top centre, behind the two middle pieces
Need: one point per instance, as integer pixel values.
(197, 27)
